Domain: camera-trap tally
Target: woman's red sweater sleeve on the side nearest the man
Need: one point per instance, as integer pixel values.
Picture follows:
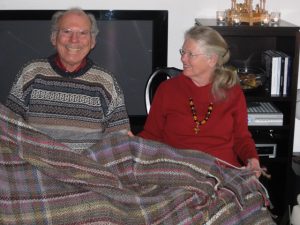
(154, 126)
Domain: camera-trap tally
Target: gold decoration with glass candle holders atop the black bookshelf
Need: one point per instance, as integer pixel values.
(245, 13)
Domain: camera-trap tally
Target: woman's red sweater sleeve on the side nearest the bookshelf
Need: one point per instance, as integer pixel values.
(244, 145)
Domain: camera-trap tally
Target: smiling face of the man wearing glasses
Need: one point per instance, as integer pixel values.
(73, 40)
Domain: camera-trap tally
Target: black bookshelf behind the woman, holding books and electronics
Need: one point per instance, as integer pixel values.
(247, 43)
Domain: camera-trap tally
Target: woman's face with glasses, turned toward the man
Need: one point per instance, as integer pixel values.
(196, 64)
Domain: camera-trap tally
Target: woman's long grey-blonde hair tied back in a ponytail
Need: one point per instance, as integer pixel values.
(211, 42)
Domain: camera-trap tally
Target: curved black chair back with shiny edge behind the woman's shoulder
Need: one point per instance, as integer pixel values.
(158, 76)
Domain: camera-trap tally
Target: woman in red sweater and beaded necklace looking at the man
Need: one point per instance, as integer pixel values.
(204, 108)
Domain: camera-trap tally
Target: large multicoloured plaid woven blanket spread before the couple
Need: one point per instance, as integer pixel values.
(119, 180)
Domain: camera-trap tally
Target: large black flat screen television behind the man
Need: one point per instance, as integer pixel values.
(130, 44)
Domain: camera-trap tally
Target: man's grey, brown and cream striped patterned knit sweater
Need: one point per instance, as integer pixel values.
(66, 105)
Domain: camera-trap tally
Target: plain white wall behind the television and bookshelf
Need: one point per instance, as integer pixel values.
(181, 17)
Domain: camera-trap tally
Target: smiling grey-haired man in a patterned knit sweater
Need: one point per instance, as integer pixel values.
(66, 94)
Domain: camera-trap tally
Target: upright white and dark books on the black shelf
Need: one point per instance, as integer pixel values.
(278, 67)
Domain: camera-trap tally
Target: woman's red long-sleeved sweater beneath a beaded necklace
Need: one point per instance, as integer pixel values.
(225, 135)
